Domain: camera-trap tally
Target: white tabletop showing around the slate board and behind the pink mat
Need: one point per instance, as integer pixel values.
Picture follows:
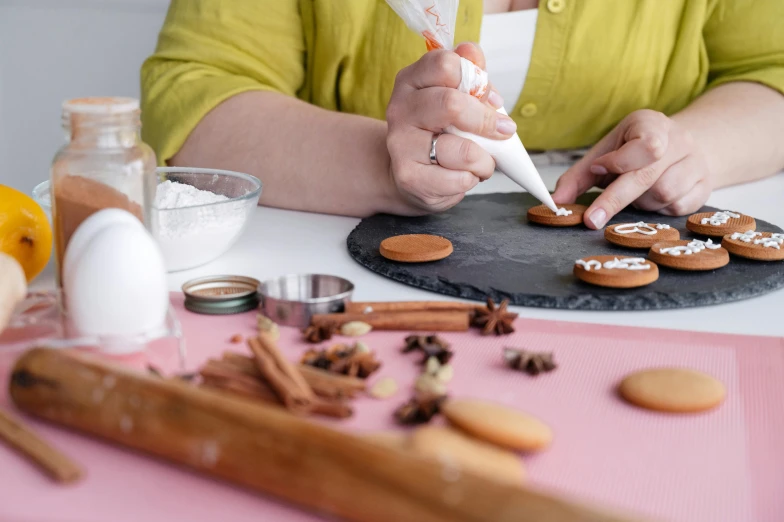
(279, 242)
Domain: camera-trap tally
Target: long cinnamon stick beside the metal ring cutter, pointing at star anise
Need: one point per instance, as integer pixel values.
(439, 321)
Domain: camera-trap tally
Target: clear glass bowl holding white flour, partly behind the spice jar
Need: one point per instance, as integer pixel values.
(194, 235)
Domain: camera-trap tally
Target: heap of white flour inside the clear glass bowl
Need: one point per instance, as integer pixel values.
(190, 237)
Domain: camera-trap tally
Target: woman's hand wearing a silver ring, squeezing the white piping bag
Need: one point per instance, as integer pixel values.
(424, 102)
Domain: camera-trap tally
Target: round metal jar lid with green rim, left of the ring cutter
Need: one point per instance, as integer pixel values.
(221, 295)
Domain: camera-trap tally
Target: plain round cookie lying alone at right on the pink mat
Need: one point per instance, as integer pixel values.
(674, 390)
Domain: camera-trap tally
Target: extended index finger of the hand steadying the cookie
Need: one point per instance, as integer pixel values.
(620, 193)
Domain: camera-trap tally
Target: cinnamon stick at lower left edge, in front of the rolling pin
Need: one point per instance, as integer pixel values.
(22, 438)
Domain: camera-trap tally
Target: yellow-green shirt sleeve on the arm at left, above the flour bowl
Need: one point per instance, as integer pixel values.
(211, 50)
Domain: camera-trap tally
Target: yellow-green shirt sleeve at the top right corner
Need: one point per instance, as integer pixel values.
(744, 40)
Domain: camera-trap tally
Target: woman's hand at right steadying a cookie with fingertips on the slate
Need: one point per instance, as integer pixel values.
(648, 160)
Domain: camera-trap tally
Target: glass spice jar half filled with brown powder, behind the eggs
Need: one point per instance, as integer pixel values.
(104, 164)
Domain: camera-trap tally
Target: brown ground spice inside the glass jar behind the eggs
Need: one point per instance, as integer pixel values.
(75, 199)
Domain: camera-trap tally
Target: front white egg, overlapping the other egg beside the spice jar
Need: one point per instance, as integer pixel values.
(117, 286)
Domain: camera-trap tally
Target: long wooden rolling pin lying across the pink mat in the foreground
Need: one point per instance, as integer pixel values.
(268, 449)
